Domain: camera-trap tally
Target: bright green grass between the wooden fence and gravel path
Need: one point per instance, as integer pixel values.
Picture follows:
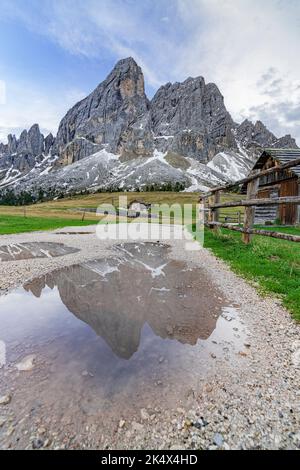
(273, 265)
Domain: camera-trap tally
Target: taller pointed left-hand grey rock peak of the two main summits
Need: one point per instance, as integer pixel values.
(113, 116)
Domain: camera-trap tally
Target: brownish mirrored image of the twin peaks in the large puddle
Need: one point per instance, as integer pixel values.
(141, 285)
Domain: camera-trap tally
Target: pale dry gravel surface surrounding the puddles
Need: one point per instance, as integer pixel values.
(250, 402)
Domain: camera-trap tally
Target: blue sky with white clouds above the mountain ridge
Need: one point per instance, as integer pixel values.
(54, 52)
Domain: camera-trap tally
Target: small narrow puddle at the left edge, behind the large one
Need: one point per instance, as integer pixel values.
(20, 251)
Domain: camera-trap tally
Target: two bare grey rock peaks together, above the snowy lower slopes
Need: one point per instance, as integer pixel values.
(189, 118)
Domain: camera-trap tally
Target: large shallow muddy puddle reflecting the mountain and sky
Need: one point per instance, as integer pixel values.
(112, 336)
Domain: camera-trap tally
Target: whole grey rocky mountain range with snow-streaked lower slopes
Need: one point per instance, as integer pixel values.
(116, 138)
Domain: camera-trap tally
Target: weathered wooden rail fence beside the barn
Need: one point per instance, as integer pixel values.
(213, 204)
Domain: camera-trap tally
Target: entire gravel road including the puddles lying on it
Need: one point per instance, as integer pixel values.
(140, 345)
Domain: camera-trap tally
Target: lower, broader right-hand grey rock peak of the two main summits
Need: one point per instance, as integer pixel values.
(190, 118)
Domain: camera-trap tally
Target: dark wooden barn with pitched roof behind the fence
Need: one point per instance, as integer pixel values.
(278, 184)
